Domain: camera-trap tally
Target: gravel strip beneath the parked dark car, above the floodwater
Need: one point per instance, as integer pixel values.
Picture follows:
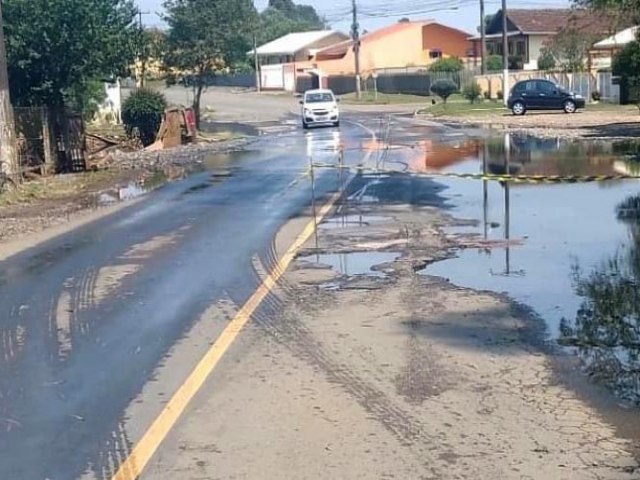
(619, 123)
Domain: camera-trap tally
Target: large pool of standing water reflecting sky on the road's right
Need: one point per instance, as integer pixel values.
(570, 251)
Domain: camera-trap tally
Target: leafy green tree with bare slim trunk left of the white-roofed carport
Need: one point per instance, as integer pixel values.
(205, 37)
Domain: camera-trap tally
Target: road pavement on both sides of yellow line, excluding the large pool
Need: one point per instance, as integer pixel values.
(397, 376)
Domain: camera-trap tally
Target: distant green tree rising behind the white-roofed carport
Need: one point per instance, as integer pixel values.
(284, 16)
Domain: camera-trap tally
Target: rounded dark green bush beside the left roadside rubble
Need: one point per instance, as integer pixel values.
(142, 114)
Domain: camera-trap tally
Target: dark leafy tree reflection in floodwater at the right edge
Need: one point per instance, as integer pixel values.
(606, 329)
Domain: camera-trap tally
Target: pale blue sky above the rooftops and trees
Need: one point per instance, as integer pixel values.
(461, 14)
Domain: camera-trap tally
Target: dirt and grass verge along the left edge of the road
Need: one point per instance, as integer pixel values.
(46, 205)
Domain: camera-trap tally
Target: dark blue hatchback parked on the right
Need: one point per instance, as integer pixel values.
(542, 95)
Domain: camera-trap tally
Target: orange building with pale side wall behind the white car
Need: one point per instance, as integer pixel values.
(399, 46)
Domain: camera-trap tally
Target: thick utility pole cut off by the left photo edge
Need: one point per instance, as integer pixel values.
(8, 155)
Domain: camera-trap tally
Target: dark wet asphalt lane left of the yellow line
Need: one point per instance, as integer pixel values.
(69, 369)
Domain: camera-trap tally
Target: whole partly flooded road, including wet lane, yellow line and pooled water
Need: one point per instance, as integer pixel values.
(397, 374)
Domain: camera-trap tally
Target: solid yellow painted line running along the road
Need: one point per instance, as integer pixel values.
(157, 432)
